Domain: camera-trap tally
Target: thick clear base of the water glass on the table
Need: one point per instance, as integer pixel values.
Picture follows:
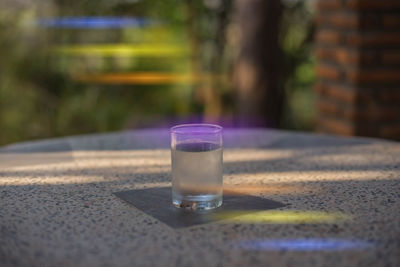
(197, 202)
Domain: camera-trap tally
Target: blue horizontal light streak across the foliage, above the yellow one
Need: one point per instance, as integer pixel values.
(94, 22)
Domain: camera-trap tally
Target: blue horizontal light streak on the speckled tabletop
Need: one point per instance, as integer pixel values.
(305, 244)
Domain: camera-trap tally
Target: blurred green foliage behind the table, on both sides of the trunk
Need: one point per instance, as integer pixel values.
(39, 97)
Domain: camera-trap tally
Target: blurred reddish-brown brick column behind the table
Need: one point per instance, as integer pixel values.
(358, 67)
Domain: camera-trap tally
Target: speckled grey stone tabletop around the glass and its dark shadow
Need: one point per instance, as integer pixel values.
(341, 196)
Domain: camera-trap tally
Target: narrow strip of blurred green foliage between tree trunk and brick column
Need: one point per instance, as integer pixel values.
(297, 40)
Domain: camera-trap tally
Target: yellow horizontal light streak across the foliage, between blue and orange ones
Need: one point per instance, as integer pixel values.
(122, 50)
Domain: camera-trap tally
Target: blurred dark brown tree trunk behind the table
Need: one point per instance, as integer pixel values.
(258, 68)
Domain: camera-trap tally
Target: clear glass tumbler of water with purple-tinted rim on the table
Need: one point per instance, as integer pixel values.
(196, 155)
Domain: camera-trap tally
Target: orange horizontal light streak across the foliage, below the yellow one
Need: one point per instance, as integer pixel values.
(141, 78)
